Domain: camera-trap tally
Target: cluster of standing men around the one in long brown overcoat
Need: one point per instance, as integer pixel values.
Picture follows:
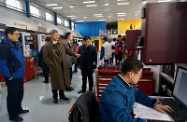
(59, 57)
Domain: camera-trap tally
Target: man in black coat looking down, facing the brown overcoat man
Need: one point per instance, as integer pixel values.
(87, 62)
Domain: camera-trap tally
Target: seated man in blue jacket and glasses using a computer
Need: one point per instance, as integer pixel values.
(119, 96)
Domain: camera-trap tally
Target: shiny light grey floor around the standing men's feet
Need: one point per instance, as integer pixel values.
(38, 100)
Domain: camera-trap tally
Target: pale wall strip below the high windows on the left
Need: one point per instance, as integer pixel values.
(9, 17)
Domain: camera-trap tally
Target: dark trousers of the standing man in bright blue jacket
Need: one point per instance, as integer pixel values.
(14, 96)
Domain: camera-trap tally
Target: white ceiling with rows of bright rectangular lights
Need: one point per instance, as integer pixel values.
(80, 10)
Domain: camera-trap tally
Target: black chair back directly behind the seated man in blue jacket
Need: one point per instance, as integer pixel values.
(85, 109)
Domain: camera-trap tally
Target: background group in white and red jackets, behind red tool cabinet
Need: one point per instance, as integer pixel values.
(115, 49)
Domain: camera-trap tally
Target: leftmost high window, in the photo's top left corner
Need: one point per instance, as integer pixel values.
(14, 4)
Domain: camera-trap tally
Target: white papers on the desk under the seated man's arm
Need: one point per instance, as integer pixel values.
(144, 112)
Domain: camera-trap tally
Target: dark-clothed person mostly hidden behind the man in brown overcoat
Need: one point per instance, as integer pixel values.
(42, 63)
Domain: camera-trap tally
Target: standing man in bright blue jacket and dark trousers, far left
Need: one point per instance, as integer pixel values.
(12, 66)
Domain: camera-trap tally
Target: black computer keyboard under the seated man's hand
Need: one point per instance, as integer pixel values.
(179, 114)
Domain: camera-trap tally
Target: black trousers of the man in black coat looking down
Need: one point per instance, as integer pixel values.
(87, 73)
